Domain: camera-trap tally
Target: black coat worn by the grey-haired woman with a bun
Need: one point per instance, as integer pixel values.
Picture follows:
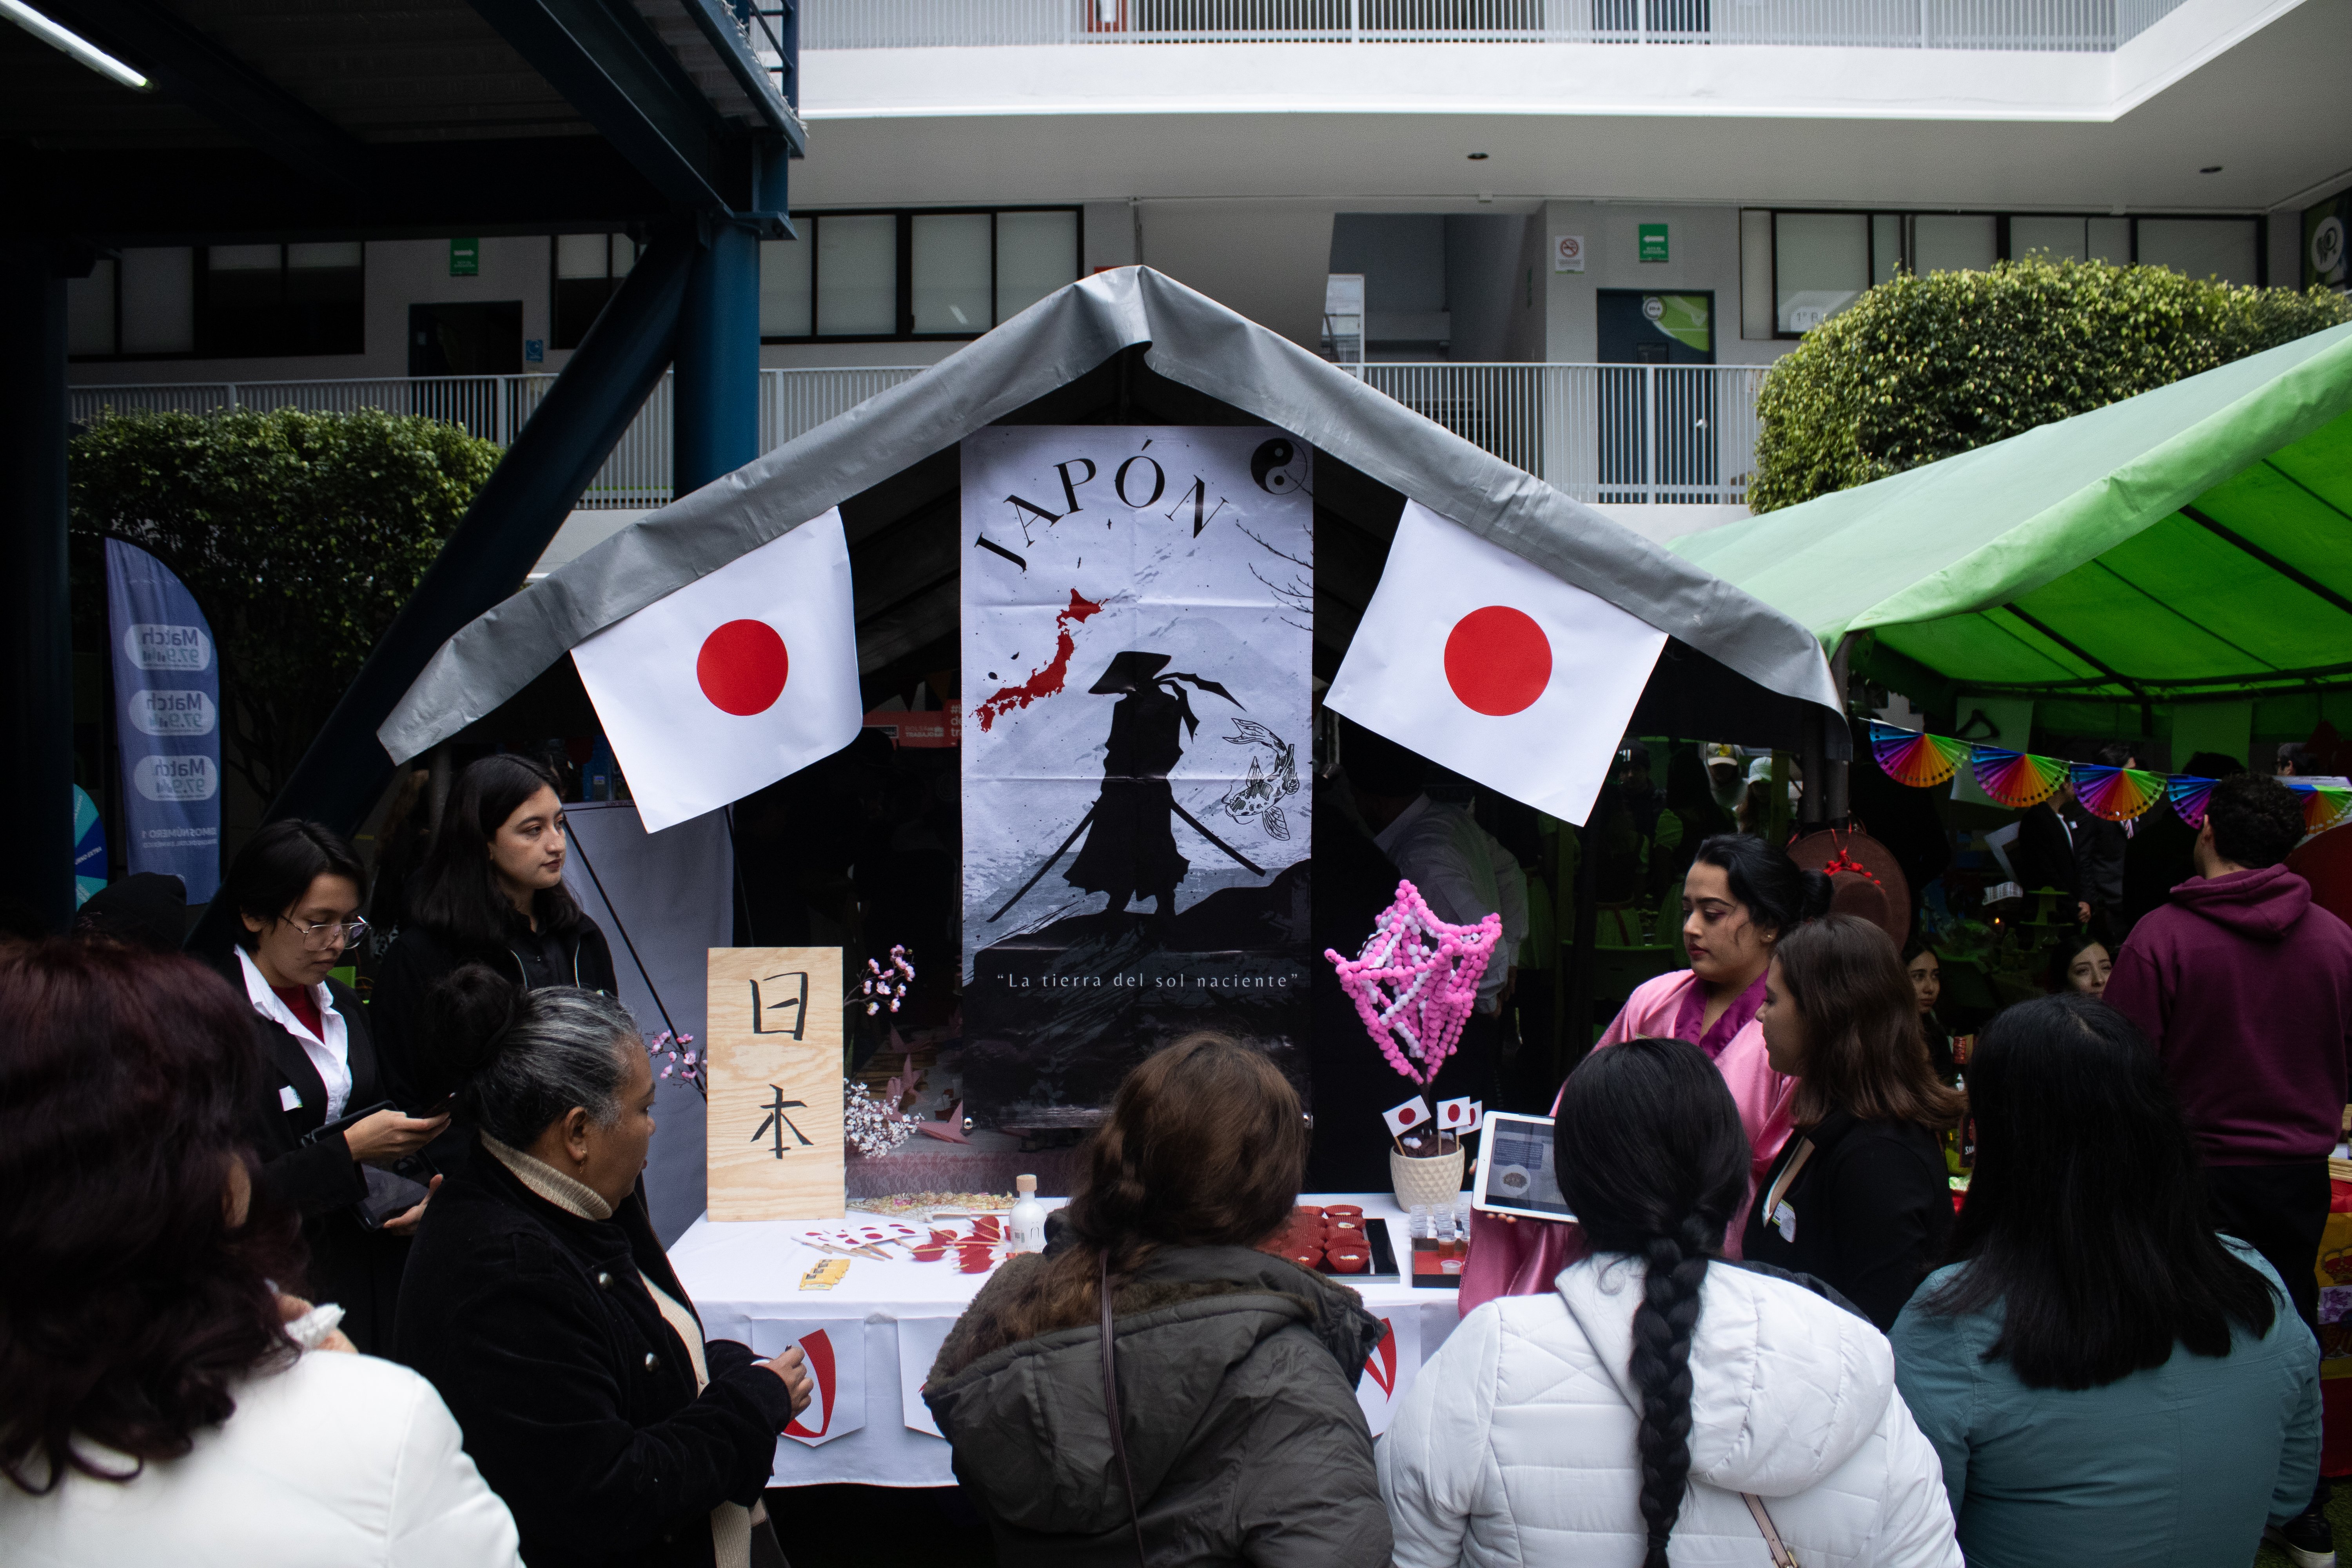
(575, 1398)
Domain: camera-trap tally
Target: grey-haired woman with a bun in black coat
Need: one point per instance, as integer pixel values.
(542, 1308)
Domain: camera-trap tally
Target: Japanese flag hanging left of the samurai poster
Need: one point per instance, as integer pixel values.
(735, 681)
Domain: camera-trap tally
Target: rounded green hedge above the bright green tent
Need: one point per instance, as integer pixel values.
(1923, 368)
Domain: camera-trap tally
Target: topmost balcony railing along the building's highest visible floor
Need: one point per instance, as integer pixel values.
(1883, 25)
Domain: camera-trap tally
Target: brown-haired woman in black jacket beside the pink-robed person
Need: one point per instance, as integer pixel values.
(1859, 1198)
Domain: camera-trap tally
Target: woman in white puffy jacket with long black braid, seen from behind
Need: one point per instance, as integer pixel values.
(1662, 1405)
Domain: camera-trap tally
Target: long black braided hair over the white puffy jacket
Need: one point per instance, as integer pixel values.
(1655, 1162)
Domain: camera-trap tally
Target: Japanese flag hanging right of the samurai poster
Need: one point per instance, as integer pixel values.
(1495, 669)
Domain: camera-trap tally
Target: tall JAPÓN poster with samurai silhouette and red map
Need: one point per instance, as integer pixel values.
(1137, 782)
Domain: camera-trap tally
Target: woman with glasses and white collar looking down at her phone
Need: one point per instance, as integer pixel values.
(298, 897)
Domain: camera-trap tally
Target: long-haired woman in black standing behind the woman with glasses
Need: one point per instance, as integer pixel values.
(490, 892)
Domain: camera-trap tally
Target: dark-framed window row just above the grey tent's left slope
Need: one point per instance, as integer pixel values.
(864, 276)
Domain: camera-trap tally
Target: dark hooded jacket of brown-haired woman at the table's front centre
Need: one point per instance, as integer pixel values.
(1238, 1409)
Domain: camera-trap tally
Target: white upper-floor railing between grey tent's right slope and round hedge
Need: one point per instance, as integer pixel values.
(1610, 434)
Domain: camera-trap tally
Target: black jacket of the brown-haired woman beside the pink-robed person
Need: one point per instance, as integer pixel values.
(1871, 1212)
